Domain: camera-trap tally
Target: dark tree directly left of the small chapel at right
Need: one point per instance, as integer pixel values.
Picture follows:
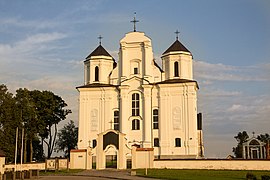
(241, 138)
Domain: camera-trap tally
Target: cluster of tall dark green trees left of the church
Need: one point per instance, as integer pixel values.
(38, 113)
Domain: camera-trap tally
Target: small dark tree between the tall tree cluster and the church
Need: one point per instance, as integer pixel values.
(67, 138)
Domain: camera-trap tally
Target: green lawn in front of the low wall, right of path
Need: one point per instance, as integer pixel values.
(199, 174)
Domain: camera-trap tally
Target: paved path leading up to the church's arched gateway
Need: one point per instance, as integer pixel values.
(97, 174)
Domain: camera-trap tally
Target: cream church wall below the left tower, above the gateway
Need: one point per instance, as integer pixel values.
(96, 113)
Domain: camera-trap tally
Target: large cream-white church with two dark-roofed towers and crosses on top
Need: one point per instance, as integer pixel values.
(133, 102)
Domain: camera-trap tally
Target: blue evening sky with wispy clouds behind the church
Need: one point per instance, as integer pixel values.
(43, 44)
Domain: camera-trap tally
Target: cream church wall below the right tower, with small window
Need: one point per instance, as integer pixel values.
(178, 119)
